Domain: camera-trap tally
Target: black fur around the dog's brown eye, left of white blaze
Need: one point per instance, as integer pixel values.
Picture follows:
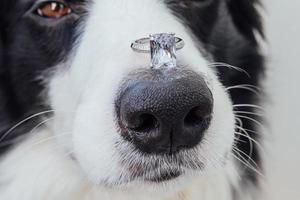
(30, 47)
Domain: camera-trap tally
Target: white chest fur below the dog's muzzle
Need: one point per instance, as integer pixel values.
(38, 170)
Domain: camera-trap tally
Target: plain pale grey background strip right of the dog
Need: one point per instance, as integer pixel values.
(282, 20)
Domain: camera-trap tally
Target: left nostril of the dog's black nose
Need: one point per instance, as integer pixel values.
(145, 123)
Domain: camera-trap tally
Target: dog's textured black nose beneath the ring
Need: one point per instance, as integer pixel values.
(163, 113)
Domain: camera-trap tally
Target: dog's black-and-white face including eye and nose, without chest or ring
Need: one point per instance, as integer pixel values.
(123, 122)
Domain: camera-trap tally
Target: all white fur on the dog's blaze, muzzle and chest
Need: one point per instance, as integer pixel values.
(82, 93)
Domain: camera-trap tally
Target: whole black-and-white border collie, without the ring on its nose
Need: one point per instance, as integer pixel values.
(84, 117)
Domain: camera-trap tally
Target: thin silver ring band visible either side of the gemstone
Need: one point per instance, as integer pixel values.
(143, 45)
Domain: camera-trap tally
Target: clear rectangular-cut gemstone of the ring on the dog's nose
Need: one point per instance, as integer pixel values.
(163, 50)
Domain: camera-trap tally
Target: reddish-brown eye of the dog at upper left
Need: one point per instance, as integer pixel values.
(53, 9)
